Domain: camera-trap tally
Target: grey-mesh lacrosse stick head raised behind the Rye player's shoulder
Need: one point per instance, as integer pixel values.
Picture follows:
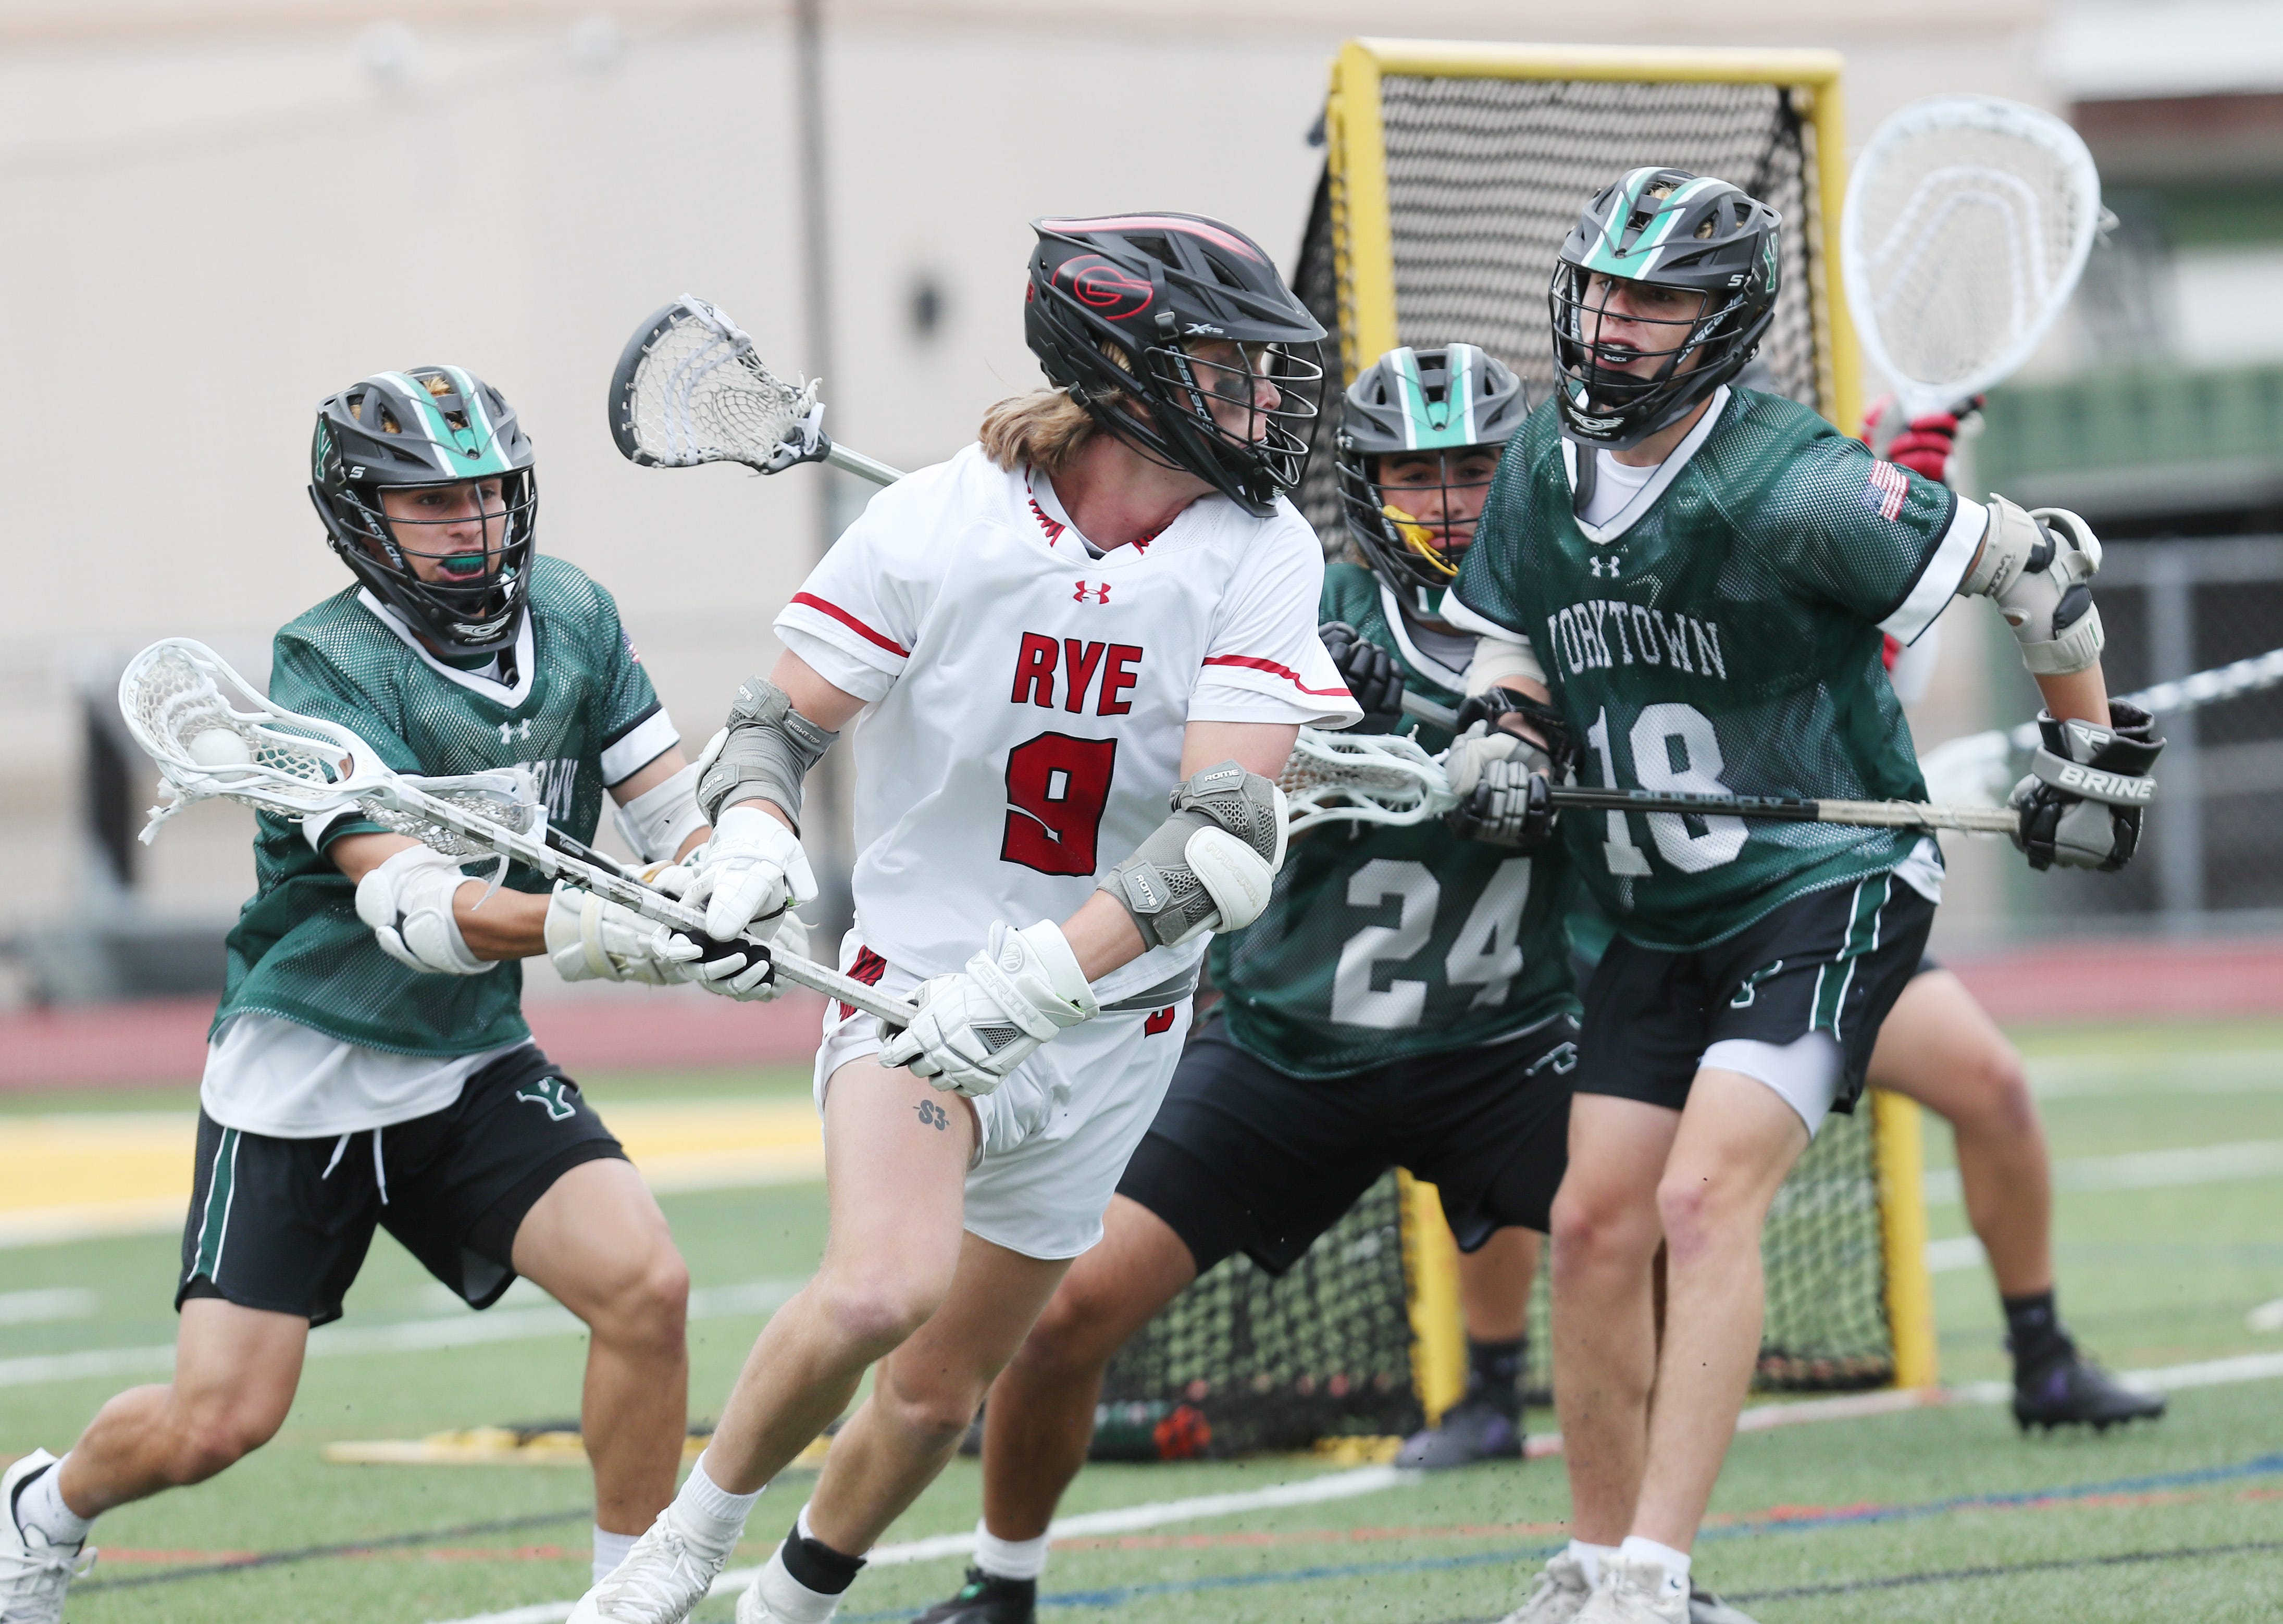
(691, 389)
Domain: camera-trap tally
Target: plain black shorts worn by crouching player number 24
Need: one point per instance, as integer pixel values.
(1248, 1160)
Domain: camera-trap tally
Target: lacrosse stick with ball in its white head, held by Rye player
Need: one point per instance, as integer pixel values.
(213, 736)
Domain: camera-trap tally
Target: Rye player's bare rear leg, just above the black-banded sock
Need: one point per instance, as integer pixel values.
(926, 1395)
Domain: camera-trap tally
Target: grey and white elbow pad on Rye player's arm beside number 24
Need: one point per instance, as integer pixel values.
(1211, 866)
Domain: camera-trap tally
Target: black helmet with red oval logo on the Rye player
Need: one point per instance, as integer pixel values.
(1113, 311)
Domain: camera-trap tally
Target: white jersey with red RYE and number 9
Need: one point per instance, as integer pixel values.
(1028, 699)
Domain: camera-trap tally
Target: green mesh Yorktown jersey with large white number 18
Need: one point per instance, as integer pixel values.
(1723, 638)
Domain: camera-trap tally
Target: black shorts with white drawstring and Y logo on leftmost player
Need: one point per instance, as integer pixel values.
(284, 1224)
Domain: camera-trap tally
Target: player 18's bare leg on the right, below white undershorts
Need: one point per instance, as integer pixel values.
(1739, 1139)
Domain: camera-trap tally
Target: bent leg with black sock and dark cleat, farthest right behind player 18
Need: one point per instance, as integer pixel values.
(1944, 1050)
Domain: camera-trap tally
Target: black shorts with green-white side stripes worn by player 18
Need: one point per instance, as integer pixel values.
(1828, 961)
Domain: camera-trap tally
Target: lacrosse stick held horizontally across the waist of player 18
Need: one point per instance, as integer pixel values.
(1394, 781)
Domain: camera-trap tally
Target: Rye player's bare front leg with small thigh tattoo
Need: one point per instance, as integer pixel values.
(896, 1162)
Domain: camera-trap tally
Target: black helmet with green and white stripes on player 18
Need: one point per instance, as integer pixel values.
(1677, 232)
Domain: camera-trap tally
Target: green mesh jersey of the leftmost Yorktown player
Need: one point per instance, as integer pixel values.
(579, 715)
